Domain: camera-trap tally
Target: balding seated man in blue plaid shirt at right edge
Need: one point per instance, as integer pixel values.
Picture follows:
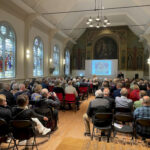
(143, 113)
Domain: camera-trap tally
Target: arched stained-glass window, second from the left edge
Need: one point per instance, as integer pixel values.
(38, 57)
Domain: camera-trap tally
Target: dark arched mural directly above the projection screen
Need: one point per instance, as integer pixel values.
(105, 48)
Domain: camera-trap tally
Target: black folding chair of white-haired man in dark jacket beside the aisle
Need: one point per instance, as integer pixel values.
(103, 122)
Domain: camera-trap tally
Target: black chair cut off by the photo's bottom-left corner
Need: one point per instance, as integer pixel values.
(4, 131)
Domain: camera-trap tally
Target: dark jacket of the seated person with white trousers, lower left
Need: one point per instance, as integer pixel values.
(24, 114)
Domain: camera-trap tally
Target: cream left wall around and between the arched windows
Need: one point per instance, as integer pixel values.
(19, 28)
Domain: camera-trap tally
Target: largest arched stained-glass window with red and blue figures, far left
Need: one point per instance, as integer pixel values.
(7, 51)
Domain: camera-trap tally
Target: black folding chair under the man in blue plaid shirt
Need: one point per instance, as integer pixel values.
(142, 123)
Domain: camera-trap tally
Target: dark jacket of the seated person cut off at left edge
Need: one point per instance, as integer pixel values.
(5, 113)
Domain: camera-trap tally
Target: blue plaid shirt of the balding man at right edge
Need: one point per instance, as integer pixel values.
(142, 113)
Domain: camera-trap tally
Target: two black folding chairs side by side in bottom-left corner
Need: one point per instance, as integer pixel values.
(18, 130)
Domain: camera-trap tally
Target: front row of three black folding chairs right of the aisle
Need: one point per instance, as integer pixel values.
(119, 122)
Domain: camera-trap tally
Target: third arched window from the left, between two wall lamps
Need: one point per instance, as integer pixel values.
(56, 60)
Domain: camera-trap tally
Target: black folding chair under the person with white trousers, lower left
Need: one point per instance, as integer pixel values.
(23, 130)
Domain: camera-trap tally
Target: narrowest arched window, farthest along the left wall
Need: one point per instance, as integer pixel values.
(67, 65)
